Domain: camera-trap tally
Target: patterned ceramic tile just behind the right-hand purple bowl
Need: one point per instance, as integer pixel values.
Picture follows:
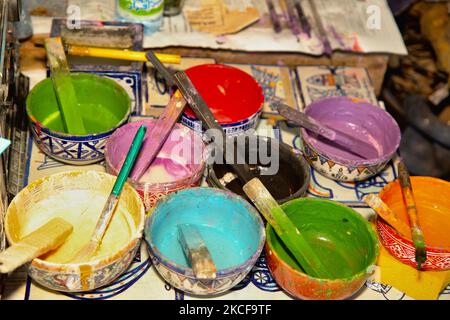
(318, 82)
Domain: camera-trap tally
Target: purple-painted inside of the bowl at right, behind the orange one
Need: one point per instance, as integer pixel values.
(361, 119)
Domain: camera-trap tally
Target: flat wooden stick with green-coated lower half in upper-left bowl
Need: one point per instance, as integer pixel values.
(64, 89)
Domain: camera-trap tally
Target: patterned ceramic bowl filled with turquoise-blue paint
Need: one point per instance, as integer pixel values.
(231, 228)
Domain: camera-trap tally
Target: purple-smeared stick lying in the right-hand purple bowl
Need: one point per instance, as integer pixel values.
(342, 139)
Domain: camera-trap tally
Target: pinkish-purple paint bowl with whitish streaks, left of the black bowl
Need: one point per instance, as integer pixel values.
(182, 143)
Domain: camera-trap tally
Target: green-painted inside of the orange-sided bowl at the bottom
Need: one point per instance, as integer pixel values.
(342, 239)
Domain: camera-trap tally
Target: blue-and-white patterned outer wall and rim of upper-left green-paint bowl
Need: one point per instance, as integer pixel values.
(69, 148)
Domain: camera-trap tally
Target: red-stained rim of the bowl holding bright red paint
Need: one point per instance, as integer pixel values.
(246, 75)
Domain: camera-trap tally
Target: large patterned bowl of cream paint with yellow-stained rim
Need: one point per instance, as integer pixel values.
(73, 196)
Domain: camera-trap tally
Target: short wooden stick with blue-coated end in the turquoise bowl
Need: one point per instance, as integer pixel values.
(195, 249)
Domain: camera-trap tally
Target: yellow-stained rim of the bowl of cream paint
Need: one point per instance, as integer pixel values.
(97, 263)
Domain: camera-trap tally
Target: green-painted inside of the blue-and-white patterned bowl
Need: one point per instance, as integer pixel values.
(102, 102)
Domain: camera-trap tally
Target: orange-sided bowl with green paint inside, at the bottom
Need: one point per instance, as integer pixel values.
(344, 241)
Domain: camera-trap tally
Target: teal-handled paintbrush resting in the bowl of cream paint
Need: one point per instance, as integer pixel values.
(107, 213)
